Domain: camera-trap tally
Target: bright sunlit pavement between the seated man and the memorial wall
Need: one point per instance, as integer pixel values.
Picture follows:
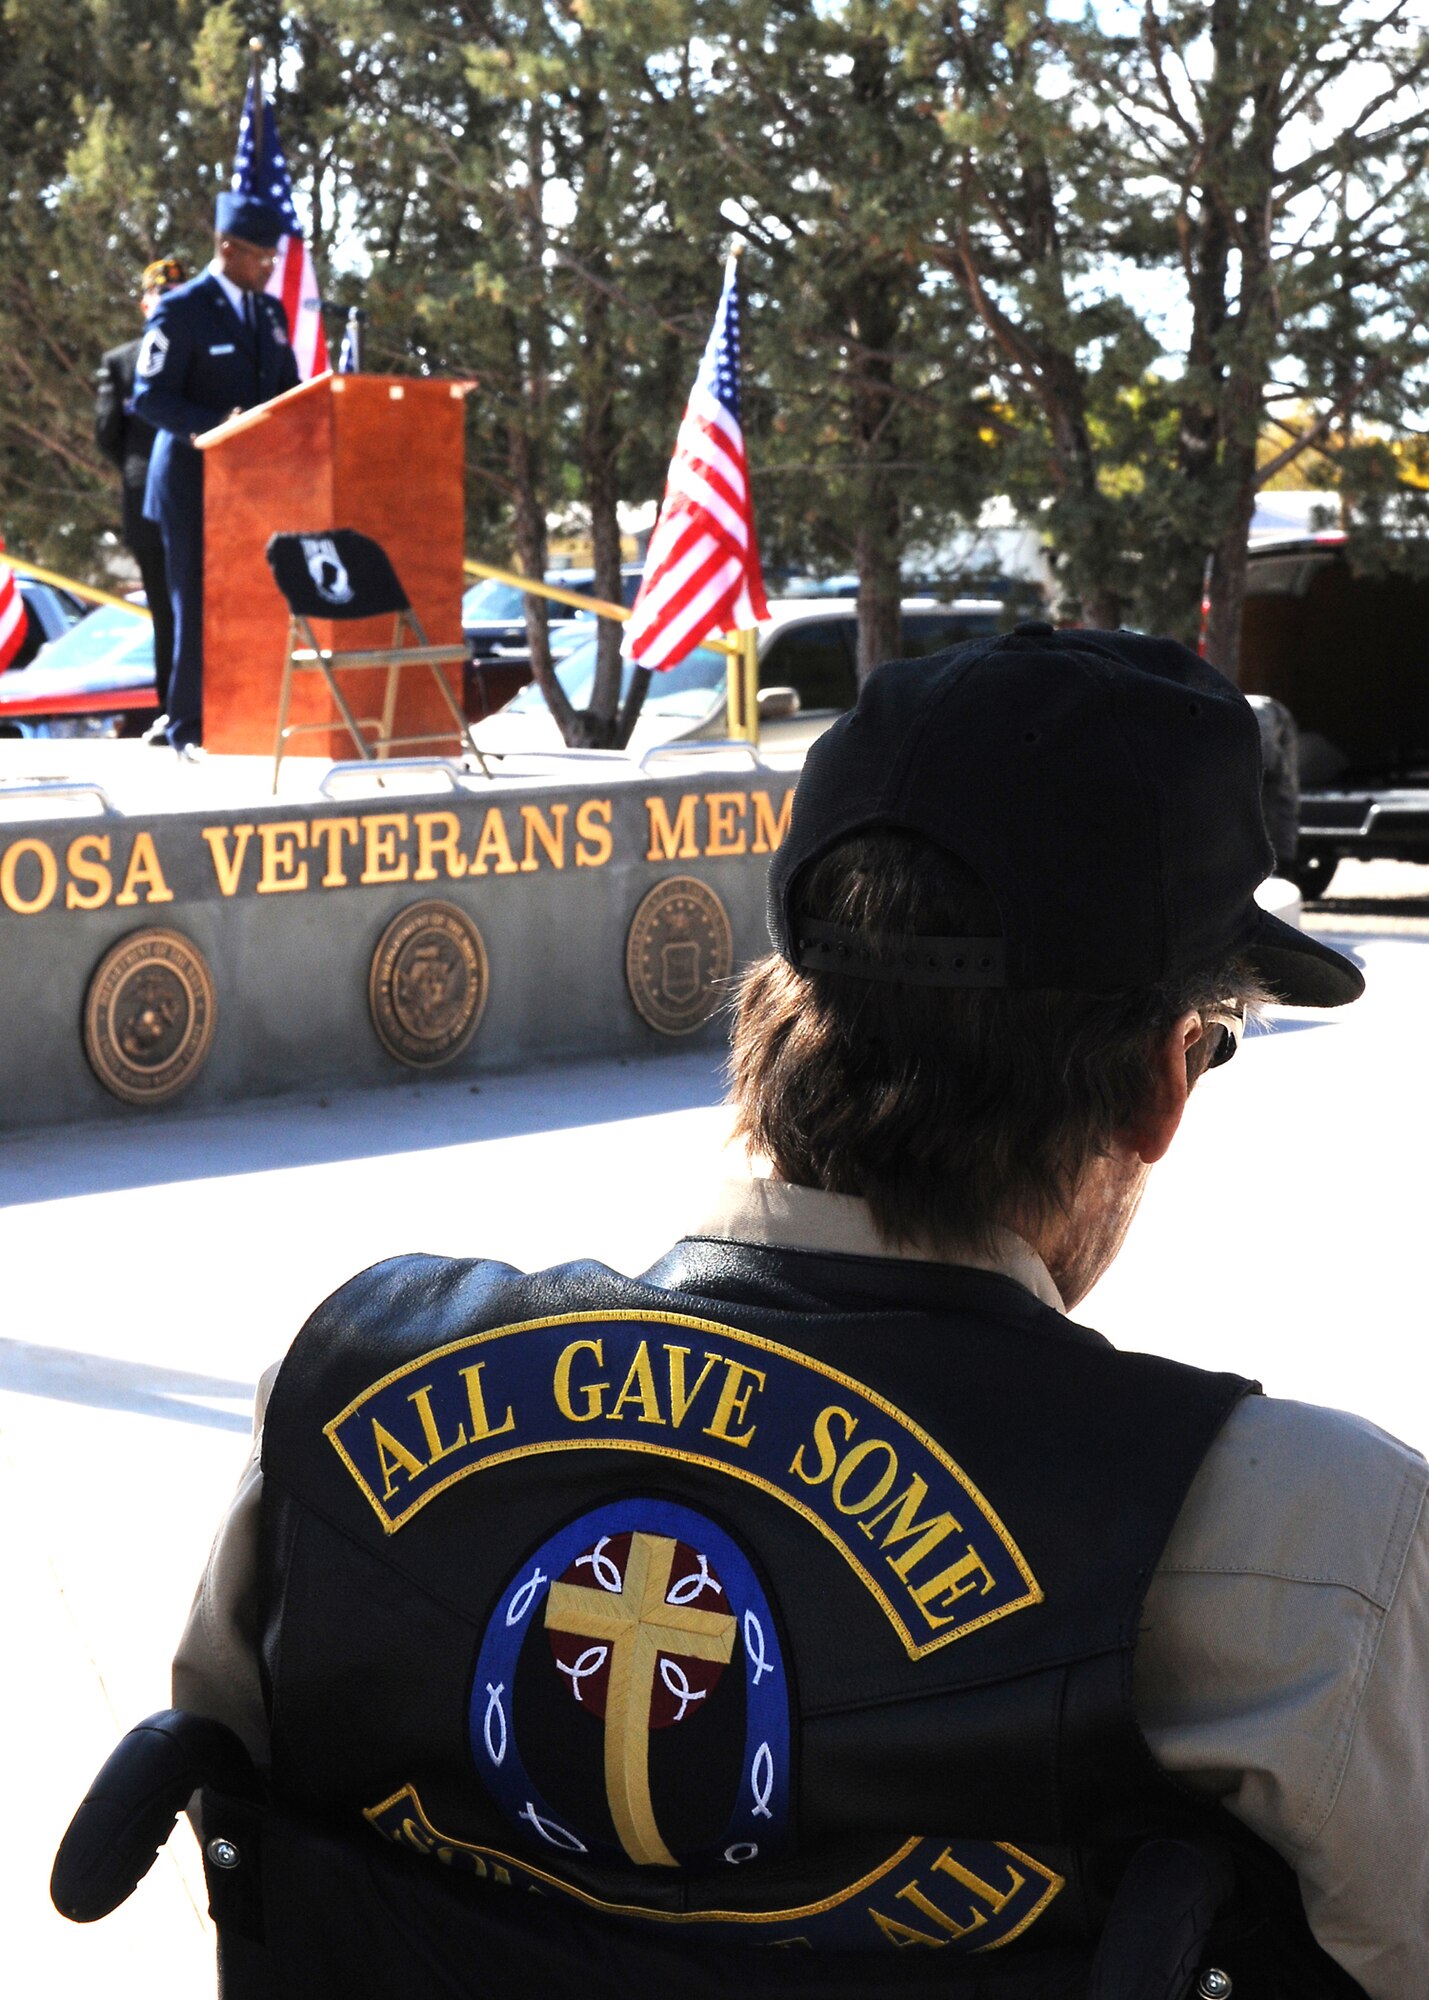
(153, 1271)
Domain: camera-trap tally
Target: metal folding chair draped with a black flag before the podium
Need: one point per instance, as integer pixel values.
(343, 575)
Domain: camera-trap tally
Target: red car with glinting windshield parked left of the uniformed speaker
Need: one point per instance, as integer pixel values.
(95, 677)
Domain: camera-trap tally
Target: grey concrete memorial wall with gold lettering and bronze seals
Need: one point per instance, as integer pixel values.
(195, 959)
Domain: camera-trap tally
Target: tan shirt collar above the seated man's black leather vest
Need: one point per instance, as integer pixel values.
(758, 1211)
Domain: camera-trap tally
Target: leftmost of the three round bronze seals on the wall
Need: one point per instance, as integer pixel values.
(149, 1017)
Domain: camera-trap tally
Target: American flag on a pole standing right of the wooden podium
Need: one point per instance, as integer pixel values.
(701, 573)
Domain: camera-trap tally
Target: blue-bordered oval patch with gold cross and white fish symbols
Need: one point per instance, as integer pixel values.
(631, 1699)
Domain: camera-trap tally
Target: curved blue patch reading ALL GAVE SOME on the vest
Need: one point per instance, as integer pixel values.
(904, 1515)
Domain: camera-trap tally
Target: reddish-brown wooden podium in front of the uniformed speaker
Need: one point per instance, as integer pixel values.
(383, 455)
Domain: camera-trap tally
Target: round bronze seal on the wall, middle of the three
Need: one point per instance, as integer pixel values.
(427, 987)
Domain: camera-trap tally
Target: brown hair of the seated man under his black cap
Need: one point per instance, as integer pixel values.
(950, 1111)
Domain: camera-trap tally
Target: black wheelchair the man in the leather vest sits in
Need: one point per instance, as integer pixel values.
(323, 1911)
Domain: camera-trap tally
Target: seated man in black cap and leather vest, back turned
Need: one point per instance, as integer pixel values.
(828, 1585)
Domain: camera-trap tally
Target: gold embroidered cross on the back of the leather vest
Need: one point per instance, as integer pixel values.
(637, 1623)
